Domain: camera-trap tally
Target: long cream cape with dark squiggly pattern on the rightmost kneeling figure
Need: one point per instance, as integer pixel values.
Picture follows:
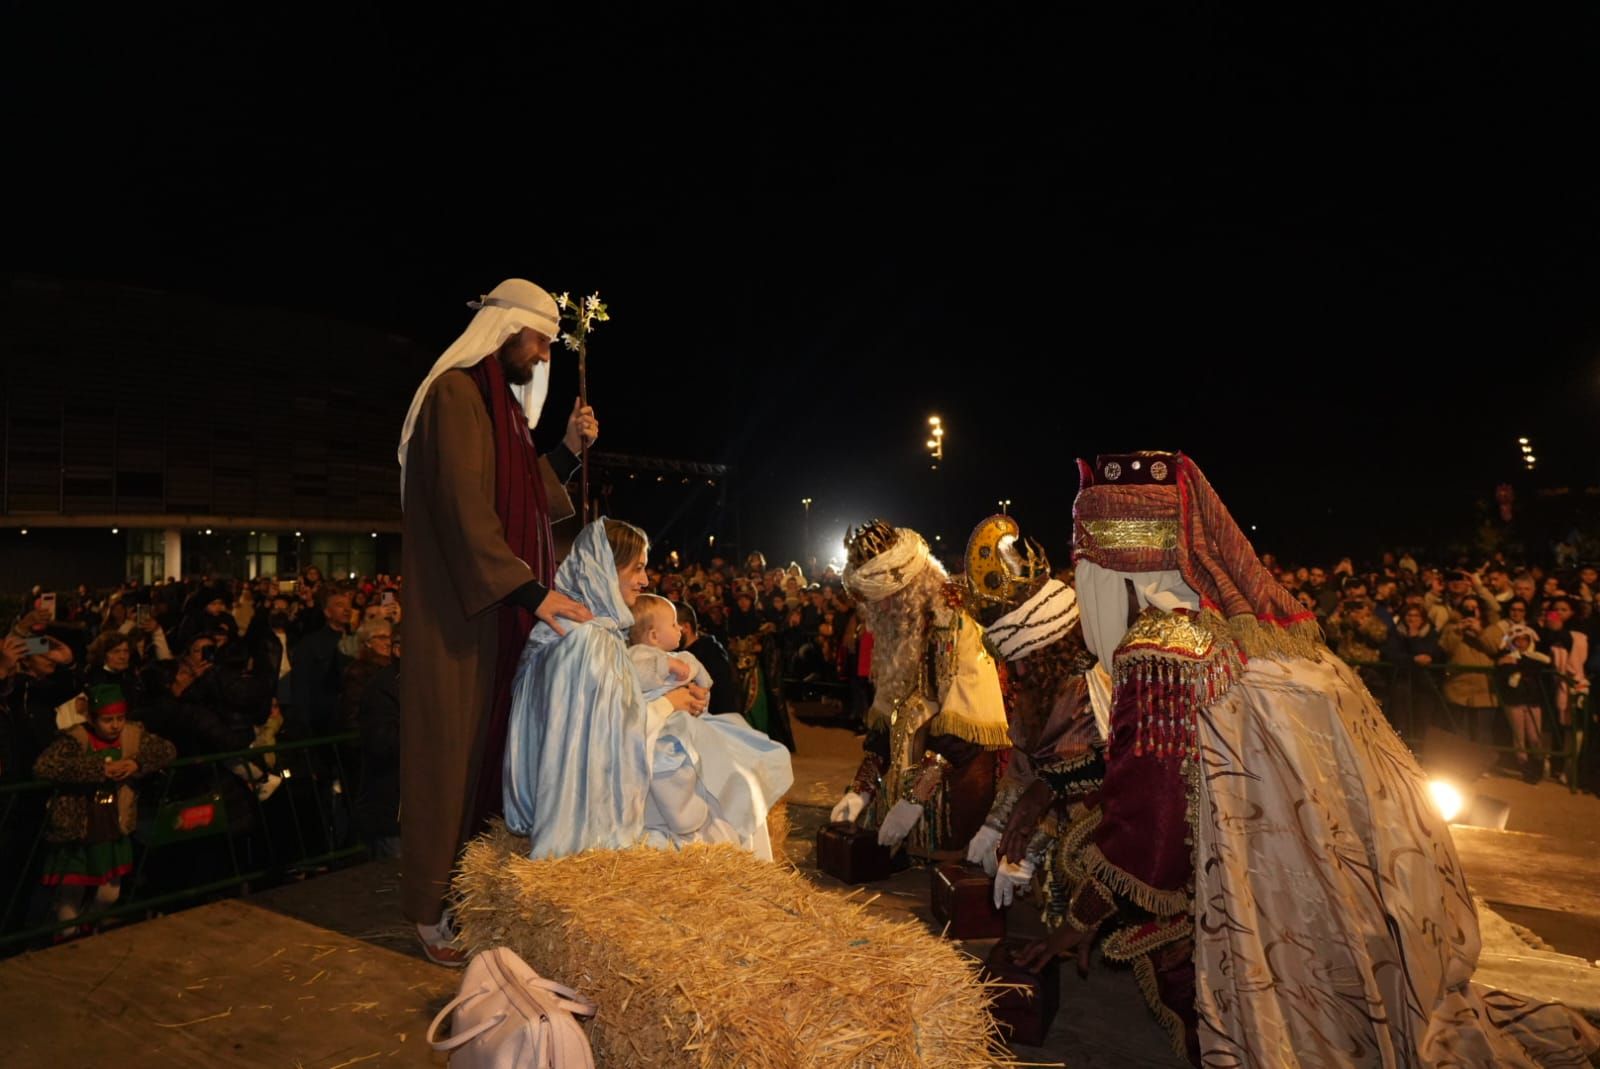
(1334, 924)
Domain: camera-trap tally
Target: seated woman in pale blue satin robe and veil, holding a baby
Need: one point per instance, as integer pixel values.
(590, 764)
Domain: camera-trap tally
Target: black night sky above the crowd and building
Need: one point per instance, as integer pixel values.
(1343, 262)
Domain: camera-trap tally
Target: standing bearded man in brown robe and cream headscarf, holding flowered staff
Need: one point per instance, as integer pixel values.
(479, 561)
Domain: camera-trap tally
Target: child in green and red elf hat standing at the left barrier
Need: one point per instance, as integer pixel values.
(95, 806)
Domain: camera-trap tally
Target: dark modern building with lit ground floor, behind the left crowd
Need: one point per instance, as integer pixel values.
(158, 434)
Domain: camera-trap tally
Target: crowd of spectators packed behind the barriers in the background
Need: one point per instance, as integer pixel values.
(1497, 652)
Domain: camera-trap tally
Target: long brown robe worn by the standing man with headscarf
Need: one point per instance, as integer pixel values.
(457, 572)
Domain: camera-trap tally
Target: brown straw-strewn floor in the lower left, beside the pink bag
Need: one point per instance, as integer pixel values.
(234, 983)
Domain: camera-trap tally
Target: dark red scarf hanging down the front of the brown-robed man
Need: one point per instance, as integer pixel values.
(526, 519)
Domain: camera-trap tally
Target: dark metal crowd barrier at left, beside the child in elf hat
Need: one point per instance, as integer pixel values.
(202, 830)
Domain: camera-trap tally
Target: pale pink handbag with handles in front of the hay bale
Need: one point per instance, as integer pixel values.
(508, 1017)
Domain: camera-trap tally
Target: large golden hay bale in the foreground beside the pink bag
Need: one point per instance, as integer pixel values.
(710, 958)
